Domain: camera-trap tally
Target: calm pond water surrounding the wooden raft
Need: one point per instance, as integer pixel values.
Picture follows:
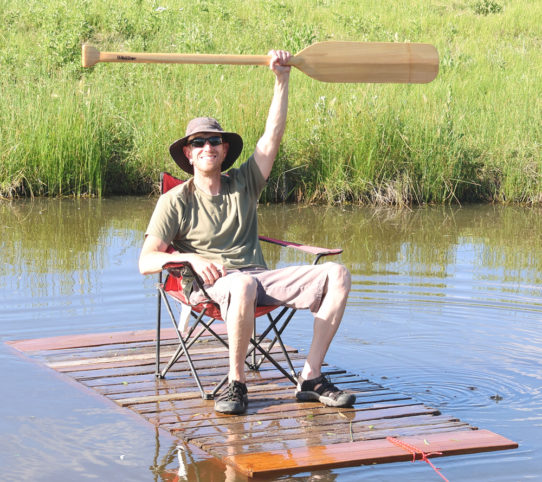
(446, 307)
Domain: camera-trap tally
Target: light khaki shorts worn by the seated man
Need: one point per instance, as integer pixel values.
(300, 287)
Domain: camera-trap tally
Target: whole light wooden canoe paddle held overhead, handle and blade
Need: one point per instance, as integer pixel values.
(380, 62)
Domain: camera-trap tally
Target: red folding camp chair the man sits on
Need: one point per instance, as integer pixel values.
(205, 314)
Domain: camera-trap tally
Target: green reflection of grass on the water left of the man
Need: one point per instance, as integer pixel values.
(59, 236)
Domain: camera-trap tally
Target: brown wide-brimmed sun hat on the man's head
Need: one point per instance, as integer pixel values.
(201, 125)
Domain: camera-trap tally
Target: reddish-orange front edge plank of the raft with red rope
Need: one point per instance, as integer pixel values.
(367, 452)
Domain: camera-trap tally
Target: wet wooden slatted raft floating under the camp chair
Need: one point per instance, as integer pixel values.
(277, 435)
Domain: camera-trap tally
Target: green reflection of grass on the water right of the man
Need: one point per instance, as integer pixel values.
(424, 241)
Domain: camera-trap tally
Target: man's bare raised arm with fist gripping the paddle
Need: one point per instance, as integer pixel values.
(268, 145)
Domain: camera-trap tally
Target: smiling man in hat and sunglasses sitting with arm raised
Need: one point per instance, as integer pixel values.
(211, 221)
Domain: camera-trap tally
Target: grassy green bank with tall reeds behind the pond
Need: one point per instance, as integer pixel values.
(472, 134)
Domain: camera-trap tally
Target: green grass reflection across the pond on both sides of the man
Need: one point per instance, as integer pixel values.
(62, 236)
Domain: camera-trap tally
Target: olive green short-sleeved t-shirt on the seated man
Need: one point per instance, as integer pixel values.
(222, 228)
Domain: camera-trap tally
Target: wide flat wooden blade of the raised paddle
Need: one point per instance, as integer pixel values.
(369, 62)
